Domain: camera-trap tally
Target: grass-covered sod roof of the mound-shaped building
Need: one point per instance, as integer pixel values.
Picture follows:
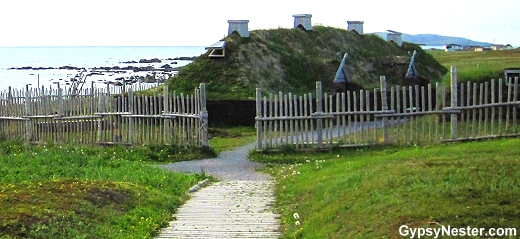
(293, 60)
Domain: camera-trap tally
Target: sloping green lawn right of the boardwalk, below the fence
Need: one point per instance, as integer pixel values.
(370, 193)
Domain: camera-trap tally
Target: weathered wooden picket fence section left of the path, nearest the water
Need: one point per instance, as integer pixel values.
(102, 116)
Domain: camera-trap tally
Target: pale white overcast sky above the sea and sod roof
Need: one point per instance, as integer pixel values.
(203, 22)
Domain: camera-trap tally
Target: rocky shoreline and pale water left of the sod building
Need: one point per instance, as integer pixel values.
(29, 67)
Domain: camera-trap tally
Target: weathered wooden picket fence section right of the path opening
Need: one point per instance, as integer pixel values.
(400, 115)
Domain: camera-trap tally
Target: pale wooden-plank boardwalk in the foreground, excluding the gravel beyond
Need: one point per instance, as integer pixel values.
(227, 209)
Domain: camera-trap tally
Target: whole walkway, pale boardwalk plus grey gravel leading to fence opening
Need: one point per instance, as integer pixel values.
(238, 206)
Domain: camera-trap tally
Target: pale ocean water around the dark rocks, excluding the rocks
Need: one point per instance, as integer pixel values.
(82, 57)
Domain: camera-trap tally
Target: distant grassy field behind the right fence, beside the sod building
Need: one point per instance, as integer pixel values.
(477, 66)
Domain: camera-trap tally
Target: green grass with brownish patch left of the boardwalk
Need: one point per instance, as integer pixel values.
(86, 192)
